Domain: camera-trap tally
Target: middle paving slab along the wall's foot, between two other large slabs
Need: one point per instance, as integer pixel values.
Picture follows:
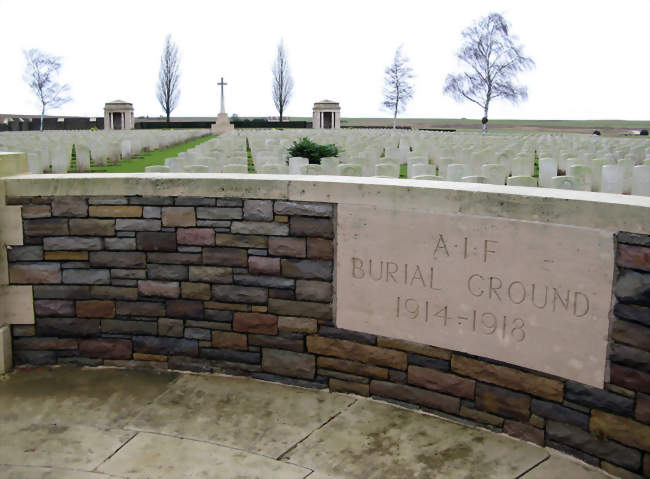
(259, 417)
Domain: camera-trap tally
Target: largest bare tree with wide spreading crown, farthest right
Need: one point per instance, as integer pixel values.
(493, 60)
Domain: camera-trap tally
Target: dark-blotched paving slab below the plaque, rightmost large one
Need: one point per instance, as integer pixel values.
(375, 440)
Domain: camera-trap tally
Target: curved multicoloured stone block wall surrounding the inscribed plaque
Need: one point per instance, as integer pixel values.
(244, 286)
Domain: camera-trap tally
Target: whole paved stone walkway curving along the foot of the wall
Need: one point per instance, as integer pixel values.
(73, 423)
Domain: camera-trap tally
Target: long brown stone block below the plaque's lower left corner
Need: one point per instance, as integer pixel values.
(344, 349)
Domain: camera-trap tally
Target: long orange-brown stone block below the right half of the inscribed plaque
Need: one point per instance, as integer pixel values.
(508, 377)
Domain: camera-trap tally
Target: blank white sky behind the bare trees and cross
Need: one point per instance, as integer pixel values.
(592, 56)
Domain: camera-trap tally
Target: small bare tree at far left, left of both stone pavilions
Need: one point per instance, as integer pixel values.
(40, 74)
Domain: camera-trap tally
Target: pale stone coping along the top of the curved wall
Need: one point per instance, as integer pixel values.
(609, 212)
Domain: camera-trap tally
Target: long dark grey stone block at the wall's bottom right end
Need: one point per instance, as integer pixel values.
(582, 440)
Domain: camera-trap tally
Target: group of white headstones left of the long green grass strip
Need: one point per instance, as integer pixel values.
(51, 151)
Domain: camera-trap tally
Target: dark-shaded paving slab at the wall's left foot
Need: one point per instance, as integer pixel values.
(100, 397)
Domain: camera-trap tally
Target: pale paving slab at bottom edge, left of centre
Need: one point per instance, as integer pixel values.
(152, 456)
